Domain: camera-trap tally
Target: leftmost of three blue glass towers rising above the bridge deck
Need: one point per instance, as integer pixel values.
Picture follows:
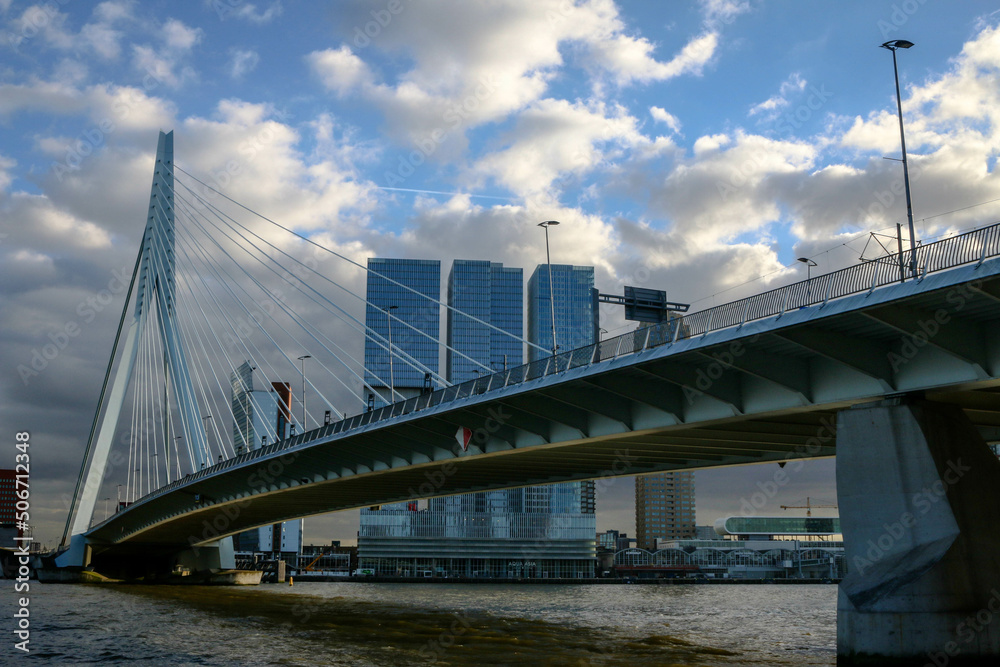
(414, 326)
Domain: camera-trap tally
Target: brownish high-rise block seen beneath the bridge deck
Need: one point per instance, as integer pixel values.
(664, 507)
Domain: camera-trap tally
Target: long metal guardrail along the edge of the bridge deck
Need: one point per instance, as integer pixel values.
(974, 246)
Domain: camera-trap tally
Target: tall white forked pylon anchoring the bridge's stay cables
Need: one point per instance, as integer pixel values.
(155, 293)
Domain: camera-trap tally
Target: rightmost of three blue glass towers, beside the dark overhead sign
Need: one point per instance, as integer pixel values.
(576, 309)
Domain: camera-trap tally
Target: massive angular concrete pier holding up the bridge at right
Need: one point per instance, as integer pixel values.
(919, 495)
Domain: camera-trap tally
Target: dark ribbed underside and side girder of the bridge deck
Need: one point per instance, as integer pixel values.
(768, 391)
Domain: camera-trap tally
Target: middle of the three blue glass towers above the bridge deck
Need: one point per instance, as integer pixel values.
(491, 293)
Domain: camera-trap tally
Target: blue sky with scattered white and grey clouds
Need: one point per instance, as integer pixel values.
(697, 147)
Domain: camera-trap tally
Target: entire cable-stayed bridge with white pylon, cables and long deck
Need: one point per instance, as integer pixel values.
(774, 377)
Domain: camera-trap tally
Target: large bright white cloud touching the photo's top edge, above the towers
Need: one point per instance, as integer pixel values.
(477, 63)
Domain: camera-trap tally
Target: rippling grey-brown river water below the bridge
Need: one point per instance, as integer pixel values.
(427, 624)
